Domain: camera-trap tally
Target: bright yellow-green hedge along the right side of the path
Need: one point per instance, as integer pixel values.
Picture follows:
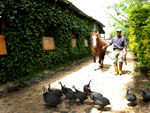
(140, 35)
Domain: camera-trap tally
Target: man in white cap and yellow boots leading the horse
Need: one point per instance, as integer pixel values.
(119, 43)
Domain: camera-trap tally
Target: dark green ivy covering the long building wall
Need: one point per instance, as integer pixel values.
(26, 22)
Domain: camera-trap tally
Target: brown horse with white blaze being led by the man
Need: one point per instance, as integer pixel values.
(98, 47)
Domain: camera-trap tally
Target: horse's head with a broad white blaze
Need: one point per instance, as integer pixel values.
(94, 39)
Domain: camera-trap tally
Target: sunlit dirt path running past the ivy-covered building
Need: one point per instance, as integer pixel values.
(30, 100)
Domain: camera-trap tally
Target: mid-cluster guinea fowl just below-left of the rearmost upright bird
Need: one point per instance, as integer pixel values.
(80, 95)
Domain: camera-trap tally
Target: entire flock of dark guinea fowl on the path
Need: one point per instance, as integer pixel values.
(52, 97)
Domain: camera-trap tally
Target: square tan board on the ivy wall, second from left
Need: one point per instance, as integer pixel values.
(48, 43)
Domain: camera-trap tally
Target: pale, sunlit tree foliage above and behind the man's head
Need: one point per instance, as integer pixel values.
(119, 19)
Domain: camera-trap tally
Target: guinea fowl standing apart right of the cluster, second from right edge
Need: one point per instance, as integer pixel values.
(130, 96)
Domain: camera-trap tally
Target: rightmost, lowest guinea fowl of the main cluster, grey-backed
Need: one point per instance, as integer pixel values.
(102, 102)
